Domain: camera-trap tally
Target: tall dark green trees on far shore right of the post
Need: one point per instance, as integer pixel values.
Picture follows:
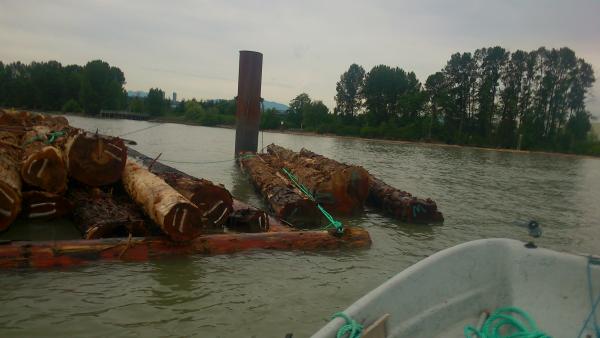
(492, 97)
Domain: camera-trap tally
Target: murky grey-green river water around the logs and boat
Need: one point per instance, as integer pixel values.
(482, 194)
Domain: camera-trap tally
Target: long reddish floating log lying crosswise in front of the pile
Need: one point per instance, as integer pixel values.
(71, 253)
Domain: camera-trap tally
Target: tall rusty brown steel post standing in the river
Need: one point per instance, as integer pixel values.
(248, 102)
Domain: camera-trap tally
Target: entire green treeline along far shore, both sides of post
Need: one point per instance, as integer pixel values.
(492, 98)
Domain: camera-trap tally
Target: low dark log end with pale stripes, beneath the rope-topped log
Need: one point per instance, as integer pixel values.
(45, 205)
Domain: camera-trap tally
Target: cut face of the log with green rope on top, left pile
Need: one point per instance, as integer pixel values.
(45, 169)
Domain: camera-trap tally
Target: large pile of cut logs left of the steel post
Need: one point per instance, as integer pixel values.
(50, 169)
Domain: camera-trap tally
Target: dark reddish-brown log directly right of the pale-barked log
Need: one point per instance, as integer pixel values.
(214, 201)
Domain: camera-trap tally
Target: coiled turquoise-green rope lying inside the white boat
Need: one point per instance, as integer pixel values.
(523, 327)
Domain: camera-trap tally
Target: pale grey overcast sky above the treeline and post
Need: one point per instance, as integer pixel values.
(191, 47)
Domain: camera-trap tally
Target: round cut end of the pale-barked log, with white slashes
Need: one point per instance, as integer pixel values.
(181, 222)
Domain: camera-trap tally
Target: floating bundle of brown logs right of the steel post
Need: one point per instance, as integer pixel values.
(340, 188)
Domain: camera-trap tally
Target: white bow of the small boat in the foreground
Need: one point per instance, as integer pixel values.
(440, 295)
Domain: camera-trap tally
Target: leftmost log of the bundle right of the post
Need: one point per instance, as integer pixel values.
(287, 202)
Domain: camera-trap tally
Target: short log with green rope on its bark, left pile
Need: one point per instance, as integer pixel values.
(42, 166)
